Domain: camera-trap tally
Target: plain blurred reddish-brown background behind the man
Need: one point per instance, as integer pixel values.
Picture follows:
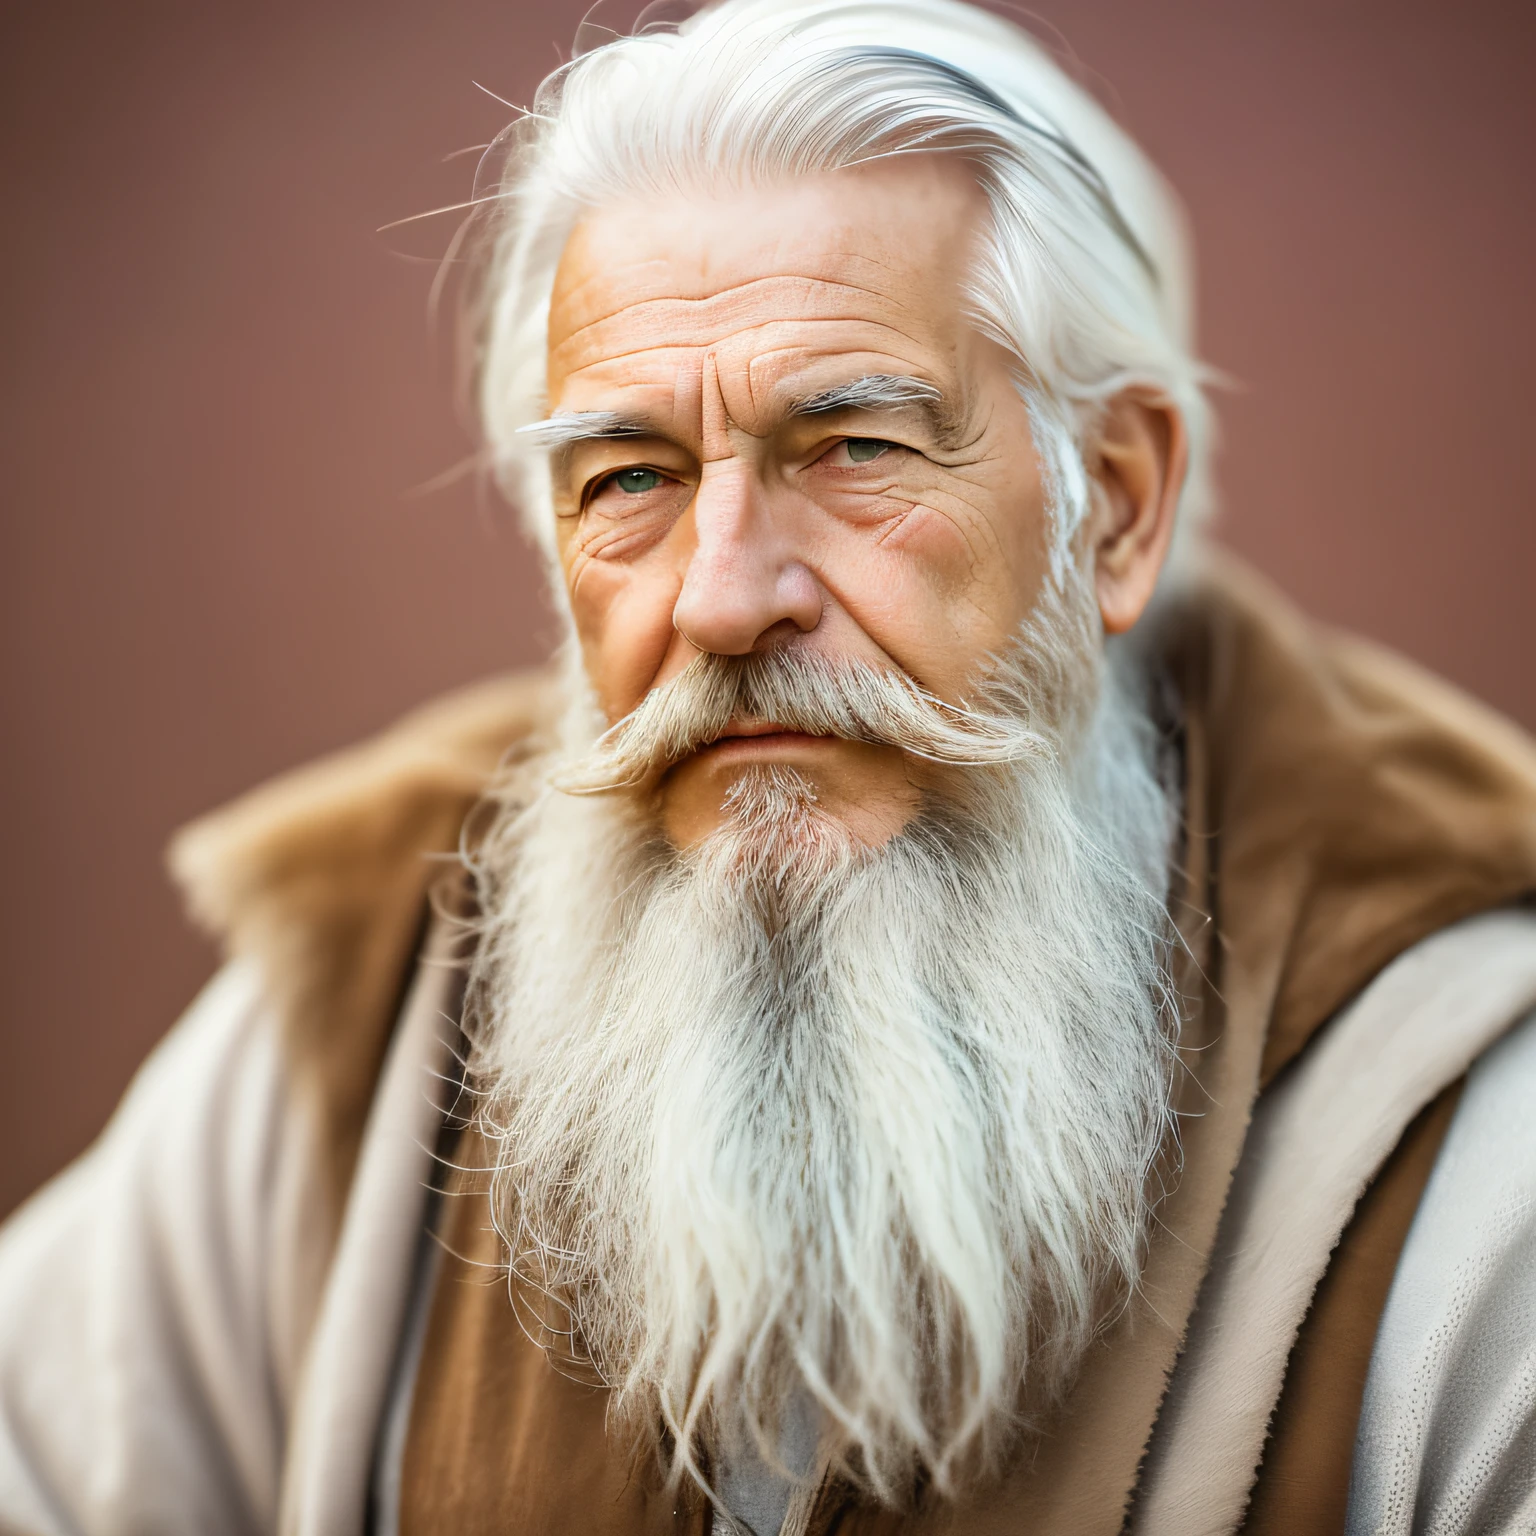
(222, 400)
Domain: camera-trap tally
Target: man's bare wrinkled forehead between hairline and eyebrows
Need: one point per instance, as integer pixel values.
(850, 271)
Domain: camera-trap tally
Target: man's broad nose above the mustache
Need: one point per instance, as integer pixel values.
(744, 578)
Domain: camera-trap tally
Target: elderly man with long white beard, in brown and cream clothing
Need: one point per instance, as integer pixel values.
(948, 1010)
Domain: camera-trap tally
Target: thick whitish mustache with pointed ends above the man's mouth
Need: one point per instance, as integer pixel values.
(799, 692)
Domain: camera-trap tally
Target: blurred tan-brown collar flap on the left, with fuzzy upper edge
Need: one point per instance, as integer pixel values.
(322, 878)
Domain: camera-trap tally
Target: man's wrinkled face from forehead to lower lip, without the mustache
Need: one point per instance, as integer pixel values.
(744, 506)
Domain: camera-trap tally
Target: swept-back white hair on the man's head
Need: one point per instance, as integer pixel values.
(1084, 276)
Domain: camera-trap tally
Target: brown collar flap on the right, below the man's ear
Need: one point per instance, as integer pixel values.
(1360, 804)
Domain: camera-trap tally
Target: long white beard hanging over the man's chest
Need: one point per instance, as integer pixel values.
(784, 1117)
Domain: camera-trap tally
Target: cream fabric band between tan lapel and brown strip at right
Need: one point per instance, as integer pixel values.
(1317, 1140)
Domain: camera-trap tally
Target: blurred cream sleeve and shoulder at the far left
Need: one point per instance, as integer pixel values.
(142, 1382)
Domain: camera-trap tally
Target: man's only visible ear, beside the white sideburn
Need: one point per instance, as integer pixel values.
(1139, 471)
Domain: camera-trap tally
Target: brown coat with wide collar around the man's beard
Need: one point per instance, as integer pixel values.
(1342, 807)
